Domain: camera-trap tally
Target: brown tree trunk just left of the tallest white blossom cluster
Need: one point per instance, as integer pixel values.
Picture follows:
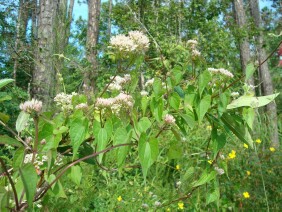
(91, 44)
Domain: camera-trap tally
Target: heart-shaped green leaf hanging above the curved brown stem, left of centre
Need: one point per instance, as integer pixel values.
(78, 131)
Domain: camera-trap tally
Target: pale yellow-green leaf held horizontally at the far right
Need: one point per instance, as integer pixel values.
(252, 102)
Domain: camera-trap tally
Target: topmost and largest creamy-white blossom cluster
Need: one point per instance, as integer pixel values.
(135, 40)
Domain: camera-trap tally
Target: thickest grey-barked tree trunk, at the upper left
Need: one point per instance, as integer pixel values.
(44, 74)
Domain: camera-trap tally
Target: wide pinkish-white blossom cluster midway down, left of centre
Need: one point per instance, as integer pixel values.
(121, 101)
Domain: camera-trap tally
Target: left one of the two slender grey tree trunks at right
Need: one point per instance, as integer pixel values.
(244, 44)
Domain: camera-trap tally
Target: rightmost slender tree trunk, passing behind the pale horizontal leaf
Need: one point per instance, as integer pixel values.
(267, 86)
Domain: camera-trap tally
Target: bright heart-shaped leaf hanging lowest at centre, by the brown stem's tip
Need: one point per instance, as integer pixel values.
(148, 151)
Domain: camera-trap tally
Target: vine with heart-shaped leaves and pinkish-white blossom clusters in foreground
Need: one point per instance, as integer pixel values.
(128, 125)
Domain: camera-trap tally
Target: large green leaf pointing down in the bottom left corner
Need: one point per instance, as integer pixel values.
(29, 178)
